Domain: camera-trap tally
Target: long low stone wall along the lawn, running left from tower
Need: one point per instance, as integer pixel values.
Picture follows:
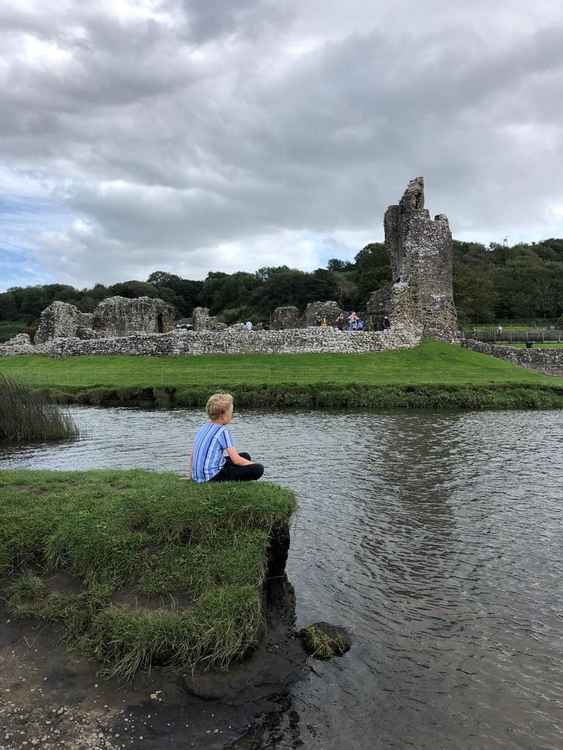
(239, 342)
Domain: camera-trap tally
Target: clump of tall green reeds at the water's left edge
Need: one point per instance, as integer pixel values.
(26, 415)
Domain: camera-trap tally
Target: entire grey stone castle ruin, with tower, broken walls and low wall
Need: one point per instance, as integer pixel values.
(418, 302)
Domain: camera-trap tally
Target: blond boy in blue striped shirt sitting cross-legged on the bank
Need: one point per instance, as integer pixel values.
(213, 440)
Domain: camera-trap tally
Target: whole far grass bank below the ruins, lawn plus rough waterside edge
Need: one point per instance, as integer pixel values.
(433, 375)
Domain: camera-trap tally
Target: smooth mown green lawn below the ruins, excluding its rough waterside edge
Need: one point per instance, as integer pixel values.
(431, 363)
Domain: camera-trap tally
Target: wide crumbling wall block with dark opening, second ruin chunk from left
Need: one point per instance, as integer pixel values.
(120, 316)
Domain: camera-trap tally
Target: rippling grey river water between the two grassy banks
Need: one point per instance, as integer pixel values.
(435, 538)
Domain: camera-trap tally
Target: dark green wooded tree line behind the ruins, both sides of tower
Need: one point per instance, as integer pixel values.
(523, 282)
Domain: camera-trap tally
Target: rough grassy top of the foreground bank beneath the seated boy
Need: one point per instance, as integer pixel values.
(140, 568)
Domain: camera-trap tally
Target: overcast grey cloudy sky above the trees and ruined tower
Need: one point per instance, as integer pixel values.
(197, 135)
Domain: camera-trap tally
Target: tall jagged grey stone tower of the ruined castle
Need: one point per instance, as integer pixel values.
(420, 252)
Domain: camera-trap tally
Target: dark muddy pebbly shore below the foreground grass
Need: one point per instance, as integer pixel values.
(53, 698)
